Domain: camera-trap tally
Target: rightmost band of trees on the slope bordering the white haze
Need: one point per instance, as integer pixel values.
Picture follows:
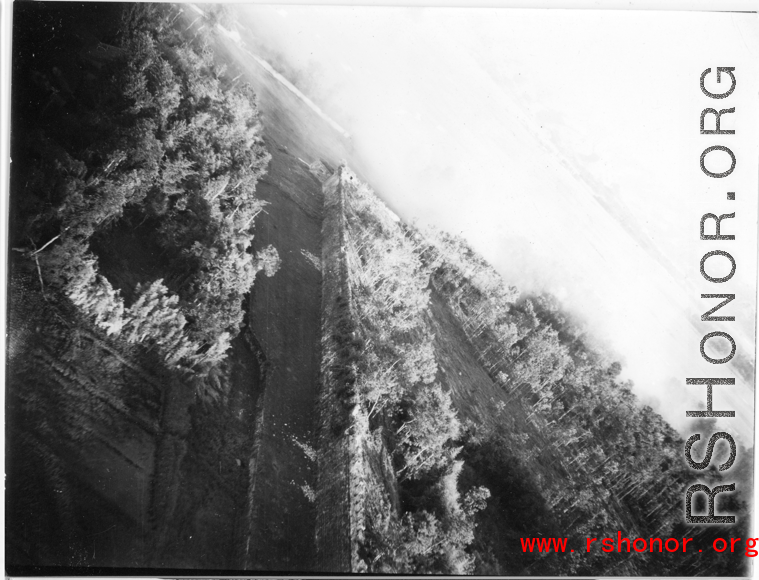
(607, 462)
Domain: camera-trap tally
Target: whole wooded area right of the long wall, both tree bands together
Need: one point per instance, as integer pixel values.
(564, 450)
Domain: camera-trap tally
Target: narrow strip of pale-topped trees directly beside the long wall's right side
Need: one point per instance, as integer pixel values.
(389, 351)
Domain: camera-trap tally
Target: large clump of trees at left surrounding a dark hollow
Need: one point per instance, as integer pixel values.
(147, 163)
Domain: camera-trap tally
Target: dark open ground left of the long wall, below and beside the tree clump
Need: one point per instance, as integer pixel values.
(165, 480)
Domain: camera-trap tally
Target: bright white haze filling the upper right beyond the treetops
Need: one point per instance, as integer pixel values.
(564, 146)
